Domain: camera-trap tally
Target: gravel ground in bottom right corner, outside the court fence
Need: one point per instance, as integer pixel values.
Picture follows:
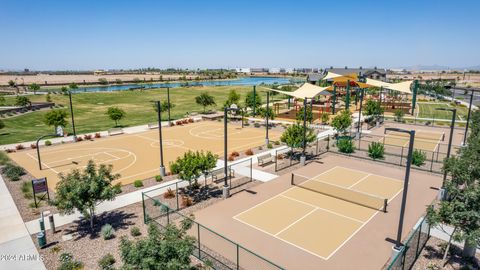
(431, 257)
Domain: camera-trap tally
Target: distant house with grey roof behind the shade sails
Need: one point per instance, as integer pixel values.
(372, 73)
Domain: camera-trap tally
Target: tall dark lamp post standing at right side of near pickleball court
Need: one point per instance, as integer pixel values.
(398, 243)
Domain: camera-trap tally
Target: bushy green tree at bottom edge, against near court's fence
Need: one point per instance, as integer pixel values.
(169, 248)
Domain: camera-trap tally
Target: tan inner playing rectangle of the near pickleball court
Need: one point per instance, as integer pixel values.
(318, 223)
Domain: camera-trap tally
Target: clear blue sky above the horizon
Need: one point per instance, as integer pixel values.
(84, 34)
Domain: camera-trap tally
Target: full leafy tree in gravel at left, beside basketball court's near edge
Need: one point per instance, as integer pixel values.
(84, 191)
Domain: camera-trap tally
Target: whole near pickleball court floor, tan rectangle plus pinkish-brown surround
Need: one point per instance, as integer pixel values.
(298, 229)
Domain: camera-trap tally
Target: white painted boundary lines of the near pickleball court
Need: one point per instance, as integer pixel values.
(315, 208)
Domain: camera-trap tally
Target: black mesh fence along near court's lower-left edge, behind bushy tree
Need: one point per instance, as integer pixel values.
(214, 249)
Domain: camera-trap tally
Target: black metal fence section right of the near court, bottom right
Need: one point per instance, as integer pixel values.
(412, 248)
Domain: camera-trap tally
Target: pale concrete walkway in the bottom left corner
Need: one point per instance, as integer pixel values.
(17, 250)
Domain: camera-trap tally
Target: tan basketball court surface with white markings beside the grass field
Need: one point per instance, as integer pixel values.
(136, 156)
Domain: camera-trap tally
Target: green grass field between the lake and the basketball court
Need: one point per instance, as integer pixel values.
(90, 108)
